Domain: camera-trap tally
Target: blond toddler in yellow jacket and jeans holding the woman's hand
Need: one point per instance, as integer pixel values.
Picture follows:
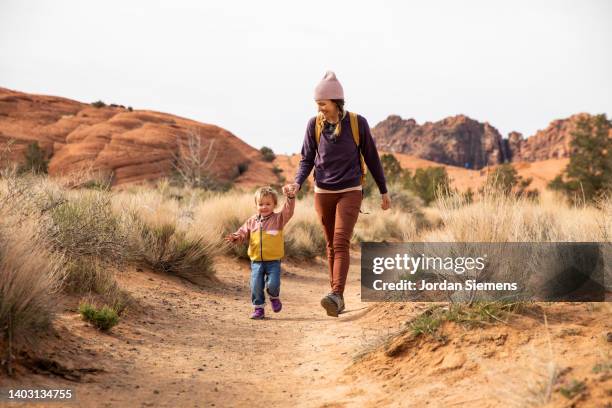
(264, 232)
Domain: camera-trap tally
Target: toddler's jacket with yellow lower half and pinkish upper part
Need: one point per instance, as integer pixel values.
(265, 234)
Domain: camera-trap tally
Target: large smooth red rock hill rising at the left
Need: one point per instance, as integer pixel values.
(135, 145)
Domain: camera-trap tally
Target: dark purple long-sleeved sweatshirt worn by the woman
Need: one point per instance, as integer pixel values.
(337, 165)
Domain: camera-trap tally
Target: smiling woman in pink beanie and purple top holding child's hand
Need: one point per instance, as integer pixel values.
(337, 151)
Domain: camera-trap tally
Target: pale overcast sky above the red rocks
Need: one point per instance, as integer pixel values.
(251, 67)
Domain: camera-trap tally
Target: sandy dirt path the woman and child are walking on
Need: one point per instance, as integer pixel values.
(196, 347)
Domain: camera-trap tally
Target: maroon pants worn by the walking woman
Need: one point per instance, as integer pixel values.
(338, 214)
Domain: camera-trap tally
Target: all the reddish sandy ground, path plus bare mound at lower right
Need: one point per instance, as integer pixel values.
(189, 346)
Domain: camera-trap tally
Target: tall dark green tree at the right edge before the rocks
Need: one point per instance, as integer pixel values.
(588, 175)
